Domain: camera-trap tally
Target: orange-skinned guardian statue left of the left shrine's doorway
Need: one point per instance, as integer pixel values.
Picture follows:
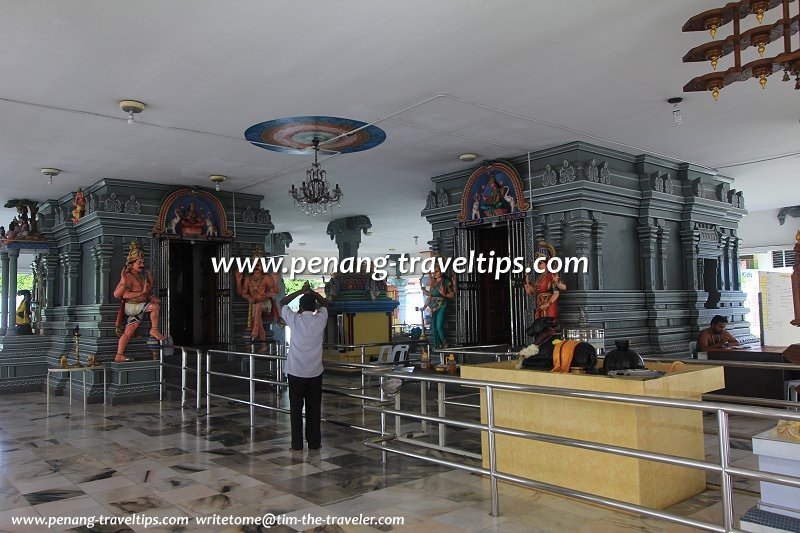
(134, 289)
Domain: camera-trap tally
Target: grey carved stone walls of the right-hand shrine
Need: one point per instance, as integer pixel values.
(660, 236)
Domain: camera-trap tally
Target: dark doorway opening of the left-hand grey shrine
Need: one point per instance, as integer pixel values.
(193, 294)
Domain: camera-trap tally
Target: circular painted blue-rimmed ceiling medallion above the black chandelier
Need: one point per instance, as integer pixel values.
(295, 135)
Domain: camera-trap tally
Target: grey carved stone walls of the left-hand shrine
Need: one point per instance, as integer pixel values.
(83, 267)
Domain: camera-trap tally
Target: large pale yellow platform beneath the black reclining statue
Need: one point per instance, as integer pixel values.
(658, 429)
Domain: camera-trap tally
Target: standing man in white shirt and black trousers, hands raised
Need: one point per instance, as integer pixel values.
(304, 364)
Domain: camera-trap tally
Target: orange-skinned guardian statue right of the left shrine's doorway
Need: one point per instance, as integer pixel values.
(259, 288)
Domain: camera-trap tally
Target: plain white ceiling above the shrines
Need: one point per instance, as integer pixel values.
(520, 76)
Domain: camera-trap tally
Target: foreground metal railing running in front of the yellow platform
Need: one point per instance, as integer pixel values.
(723, 468)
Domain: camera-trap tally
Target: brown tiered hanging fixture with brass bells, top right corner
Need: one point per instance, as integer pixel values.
(757, 37)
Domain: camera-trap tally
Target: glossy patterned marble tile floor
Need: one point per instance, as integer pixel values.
(157, 460)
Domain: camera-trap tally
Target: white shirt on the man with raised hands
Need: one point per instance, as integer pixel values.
(305, 345)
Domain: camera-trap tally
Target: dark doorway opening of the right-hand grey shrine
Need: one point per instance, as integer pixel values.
(495, 296)
